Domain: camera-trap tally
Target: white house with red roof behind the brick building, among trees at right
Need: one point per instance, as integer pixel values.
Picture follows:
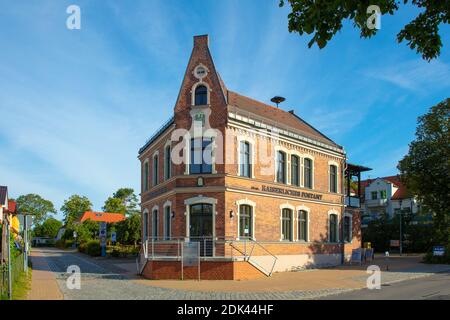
(387, 195)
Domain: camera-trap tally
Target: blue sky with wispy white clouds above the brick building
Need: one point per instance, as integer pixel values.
(75, 106)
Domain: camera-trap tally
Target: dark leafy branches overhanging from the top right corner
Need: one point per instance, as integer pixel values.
(324, 18)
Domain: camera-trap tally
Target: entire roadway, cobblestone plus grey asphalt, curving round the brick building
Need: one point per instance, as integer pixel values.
(101, 279)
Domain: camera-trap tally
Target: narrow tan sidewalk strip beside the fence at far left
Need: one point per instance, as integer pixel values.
(43, 283)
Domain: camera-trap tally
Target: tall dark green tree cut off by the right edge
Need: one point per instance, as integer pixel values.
(425, 169)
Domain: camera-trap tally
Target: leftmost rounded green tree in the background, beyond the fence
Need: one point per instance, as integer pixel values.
(35, 205)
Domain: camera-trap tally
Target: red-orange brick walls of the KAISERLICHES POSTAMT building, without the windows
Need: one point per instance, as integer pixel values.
(227, 189)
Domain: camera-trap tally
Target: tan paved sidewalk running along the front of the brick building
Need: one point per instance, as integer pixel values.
(333, 279)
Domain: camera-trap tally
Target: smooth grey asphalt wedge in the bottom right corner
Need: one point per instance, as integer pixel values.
(435, 287)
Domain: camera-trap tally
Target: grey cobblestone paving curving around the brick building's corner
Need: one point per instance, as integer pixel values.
(102, 280)
